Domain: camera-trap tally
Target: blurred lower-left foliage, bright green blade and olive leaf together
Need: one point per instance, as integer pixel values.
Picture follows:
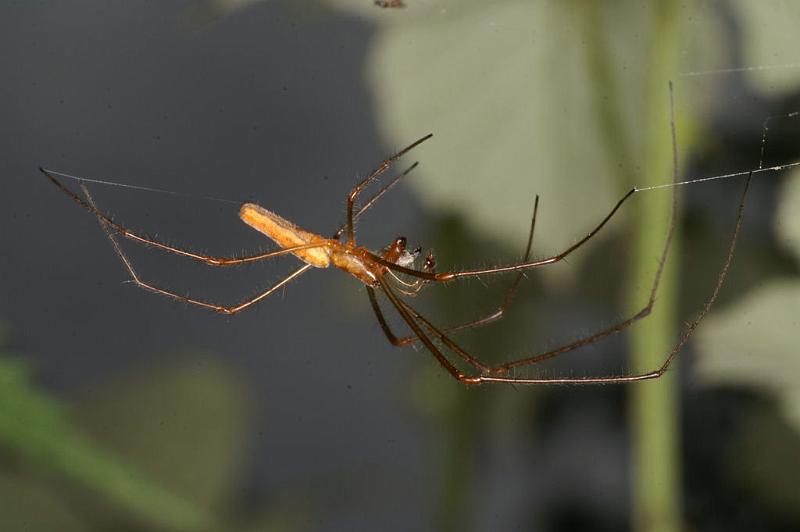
(161, 449)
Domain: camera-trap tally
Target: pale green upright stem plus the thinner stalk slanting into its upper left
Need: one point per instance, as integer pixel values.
(654, 404)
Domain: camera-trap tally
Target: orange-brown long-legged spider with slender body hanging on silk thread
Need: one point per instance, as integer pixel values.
(377, 271)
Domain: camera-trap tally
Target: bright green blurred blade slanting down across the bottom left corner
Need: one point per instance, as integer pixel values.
(35, 429)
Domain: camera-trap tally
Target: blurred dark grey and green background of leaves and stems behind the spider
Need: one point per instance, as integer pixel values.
(122, 410)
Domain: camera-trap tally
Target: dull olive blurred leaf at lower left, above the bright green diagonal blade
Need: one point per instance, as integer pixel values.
(185, 424)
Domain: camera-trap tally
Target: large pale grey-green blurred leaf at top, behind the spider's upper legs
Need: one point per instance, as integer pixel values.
(556, 110)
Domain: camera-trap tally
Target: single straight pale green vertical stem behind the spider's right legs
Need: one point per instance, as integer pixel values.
(655, 405)
